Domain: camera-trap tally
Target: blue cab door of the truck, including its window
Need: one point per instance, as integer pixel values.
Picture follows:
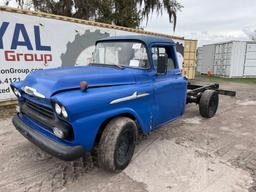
(169, 86)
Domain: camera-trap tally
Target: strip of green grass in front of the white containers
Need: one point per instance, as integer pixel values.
(223, 79)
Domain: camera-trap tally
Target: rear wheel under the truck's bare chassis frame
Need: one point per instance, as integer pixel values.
(208, 103)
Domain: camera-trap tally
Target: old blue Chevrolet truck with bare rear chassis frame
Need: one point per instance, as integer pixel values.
(132, 86)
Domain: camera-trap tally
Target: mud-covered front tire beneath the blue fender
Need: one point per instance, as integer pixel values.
(117, 144)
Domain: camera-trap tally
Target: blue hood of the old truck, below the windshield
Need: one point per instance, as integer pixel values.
(50, 81)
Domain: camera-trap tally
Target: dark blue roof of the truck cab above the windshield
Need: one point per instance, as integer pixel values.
(143, 38)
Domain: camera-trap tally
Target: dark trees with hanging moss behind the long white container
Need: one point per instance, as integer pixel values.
(128, 13)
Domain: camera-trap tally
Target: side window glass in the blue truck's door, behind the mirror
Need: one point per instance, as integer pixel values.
(160, 51)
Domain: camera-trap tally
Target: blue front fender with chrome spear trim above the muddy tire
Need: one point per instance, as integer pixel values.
(89, 110)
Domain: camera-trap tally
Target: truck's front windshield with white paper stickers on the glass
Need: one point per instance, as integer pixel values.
(123, 54)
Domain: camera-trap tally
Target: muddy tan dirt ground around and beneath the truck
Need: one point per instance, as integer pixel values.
(191, 154)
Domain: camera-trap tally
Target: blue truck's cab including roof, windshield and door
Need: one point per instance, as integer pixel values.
(154, 63)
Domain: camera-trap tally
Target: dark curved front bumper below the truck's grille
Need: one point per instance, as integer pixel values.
(61, 151)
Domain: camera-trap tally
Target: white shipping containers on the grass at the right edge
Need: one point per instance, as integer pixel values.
(231, 59)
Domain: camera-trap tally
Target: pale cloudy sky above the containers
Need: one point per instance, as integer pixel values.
(209, 21)
